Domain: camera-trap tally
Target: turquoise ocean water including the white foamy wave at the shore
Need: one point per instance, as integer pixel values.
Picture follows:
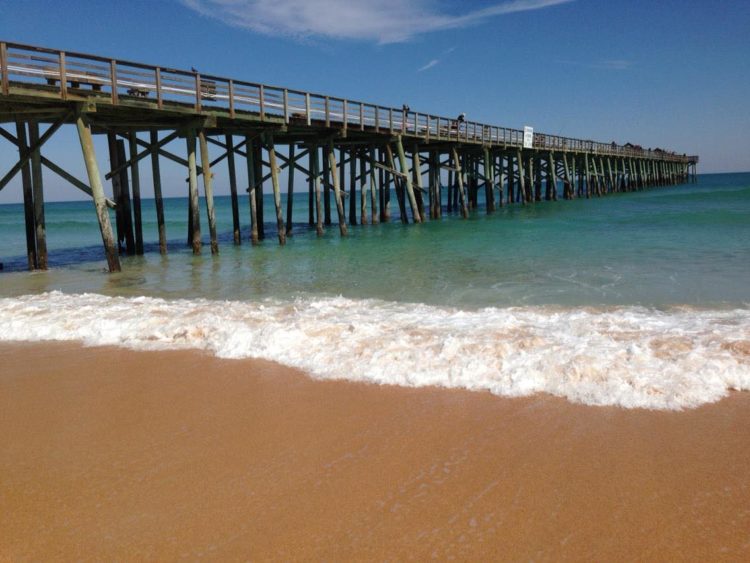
(595, 300)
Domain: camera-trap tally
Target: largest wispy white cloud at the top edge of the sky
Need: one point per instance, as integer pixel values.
(382, 21)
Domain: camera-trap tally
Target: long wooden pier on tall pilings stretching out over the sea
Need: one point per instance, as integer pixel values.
(356, 157)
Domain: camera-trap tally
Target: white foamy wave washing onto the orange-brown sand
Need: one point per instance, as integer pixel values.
(632, 357)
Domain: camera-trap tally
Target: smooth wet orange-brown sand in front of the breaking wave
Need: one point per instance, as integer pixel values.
(112, 454)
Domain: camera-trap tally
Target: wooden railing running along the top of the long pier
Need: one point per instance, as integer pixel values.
(117, 80)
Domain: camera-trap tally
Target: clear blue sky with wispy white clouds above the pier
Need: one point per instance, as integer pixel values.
(674, 74)
